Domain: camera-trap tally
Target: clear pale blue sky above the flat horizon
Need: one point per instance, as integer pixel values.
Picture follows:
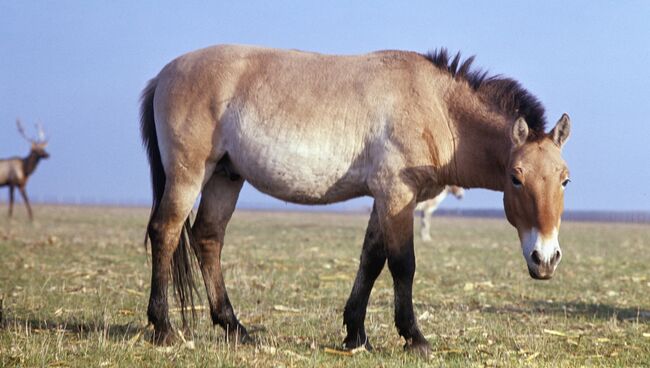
(78, 67)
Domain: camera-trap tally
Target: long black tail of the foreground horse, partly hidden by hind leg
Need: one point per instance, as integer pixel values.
(182, 265)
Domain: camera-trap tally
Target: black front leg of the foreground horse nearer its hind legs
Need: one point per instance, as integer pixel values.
(373, 258)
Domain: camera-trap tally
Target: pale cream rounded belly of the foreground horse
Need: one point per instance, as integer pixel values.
(305, 171)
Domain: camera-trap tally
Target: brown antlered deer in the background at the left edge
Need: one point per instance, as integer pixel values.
(16, 171)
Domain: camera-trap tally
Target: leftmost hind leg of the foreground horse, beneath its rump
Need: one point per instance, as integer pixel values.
(164, 231)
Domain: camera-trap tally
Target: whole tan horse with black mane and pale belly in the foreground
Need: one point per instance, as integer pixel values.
(315, 129)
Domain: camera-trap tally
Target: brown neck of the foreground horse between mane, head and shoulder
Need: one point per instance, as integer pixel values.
(482, 146)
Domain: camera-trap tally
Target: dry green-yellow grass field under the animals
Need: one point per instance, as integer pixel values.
(75, 287)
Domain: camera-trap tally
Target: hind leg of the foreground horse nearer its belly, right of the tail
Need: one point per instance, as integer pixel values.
(217, 205)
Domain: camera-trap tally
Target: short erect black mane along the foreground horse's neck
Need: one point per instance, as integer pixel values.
(504, 93)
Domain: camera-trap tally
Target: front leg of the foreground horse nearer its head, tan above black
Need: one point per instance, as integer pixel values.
(396, 220)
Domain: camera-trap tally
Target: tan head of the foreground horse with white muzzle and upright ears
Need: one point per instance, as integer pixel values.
(534, 193)
